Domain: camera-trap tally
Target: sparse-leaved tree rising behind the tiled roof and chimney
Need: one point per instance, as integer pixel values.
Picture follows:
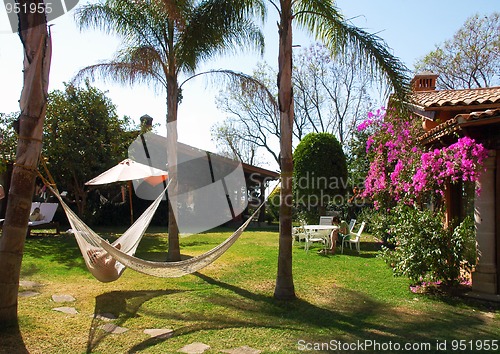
(471, 59)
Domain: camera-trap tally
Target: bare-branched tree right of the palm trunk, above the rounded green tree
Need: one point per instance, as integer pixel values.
(330, 95)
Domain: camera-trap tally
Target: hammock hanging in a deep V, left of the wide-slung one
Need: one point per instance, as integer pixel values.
(102, 266)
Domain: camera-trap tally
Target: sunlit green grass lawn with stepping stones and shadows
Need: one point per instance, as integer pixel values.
(349, 299)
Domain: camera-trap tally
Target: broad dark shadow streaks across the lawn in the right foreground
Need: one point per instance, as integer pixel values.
(361, 318)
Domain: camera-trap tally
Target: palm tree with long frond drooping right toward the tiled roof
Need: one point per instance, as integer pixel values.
(323, 20)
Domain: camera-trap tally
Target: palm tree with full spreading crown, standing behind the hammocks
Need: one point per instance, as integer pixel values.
(161, 40)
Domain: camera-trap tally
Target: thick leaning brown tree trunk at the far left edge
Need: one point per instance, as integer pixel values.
(37, 54)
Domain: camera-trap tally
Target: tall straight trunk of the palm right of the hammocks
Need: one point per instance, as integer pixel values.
(284, 282)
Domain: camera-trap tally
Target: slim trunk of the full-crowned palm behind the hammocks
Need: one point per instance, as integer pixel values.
(174, 253)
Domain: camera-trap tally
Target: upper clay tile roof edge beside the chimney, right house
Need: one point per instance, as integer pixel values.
(467, 97)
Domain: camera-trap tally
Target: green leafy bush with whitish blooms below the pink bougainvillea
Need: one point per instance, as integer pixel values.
(425, 251)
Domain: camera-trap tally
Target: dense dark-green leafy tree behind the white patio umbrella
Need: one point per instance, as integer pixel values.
(83, 137)
